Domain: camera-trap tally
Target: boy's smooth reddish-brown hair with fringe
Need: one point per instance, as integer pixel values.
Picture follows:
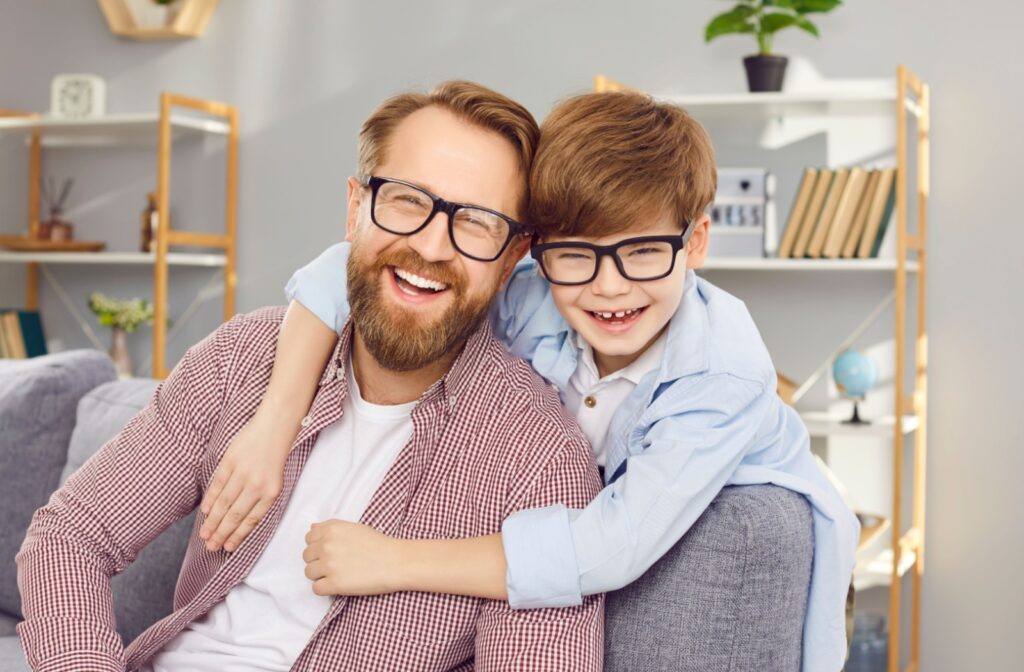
(609, 161)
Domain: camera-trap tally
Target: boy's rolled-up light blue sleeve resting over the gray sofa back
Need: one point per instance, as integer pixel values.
(557, 556)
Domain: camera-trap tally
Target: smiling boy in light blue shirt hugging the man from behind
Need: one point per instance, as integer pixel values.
(666, 373)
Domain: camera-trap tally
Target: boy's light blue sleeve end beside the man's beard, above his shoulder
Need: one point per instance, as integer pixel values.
(322, 286)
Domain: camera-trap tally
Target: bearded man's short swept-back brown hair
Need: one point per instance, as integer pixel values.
(468, 101)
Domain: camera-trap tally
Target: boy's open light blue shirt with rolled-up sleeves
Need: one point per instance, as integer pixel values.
(708, 417)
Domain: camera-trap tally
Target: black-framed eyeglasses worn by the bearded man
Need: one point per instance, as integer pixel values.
(404, 209)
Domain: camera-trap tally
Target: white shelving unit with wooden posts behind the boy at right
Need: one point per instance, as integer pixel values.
(854, 123)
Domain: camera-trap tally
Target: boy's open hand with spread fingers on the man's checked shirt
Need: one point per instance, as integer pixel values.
(246, 484)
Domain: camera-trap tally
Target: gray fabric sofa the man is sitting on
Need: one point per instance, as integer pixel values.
(731, 597)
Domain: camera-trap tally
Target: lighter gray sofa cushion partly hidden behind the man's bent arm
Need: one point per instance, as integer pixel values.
(144, 594)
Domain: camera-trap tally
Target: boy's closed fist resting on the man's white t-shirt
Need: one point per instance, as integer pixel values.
(350, 559)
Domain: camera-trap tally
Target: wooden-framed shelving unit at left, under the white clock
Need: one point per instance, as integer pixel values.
(162, 259)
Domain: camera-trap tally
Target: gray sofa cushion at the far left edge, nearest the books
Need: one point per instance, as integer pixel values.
(38, 398)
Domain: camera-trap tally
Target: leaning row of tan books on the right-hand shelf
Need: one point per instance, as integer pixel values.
(840, 214)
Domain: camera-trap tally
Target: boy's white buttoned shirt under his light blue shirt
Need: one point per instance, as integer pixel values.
(593, 401)
